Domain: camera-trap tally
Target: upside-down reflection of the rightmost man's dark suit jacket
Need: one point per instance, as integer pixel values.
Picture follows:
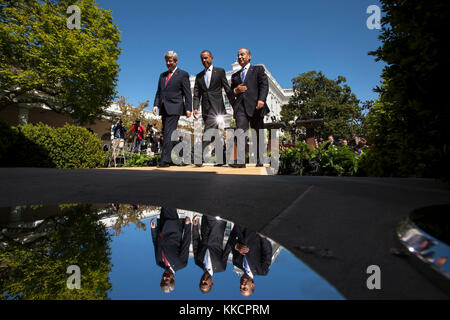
(259, 256)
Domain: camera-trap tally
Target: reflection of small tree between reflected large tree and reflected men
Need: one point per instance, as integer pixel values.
(127, 213)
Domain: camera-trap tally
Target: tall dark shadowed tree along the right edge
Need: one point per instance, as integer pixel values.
(408, 126)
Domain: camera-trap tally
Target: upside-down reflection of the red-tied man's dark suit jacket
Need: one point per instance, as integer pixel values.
(174, 237)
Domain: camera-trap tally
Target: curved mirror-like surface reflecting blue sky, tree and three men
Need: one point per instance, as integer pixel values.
(119, 256)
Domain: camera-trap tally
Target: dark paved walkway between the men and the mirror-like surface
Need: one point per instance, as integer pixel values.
(352, 220)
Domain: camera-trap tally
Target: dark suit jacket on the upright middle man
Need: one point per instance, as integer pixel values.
(211, 98)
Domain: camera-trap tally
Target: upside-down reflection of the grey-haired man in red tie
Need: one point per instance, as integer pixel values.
(171, 239)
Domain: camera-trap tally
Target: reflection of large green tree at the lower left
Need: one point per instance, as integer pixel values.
(37, 269)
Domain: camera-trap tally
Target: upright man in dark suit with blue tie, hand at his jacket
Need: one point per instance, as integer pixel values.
(250, 87)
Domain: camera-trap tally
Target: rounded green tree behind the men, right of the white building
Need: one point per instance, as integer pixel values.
(315, 97)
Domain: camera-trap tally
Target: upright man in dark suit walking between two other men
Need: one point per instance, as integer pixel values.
(208, 92)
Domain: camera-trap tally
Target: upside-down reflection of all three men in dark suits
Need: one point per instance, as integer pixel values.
(171, 236)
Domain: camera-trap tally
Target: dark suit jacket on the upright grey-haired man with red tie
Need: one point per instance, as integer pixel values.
(177, 95)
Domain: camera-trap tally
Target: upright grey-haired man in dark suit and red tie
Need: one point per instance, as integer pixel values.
(173, 99)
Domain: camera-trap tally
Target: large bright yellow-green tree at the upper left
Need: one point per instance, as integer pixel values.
(72, 71)
